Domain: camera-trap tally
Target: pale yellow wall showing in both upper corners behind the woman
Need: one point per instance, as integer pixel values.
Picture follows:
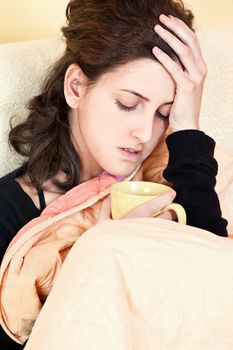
(37, 19)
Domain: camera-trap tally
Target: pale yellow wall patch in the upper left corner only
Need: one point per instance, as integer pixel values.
(30, 19)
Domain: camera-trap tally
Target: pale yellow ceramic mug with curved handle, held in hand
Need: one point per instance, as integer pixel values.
(127, 195)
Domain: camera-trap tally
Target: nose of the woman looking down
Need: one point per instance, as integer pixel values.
(143, 131)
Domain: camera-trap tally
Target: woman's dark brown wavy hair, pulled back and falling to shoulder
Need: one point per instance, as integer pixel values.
(99, 36)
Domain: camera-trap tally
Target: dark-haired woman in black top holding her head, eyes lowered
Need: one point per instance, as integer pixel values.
(131, 70)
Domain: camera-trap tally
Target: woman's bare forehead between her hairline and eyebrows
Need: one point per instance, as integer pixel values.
(147, 77)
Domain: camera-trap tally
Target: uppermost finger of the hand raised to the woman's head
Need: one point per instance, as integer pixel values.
(187, 36)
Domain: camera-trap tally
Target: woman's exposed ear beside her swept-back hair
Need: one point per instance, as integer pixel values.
(74, 85)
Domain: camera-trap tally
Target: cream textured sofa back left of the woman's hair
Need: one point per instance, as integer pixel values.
(22, 68)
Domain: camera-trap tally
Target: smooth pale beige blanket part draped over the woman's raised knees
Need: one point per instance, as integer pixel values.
(141, 284)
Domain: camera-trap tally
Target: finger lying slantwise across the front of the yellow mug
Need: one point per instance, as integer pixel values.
(151, 207)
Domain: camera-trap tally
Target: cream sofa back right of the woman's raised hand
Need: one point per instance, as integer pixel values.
(217, 108)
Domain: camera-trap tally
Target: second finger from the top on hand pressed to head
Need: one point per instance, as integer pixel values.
(183, 51)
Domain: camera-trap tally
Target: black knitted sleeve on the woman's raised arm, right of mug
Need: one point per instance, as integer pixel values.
(192, 170)
